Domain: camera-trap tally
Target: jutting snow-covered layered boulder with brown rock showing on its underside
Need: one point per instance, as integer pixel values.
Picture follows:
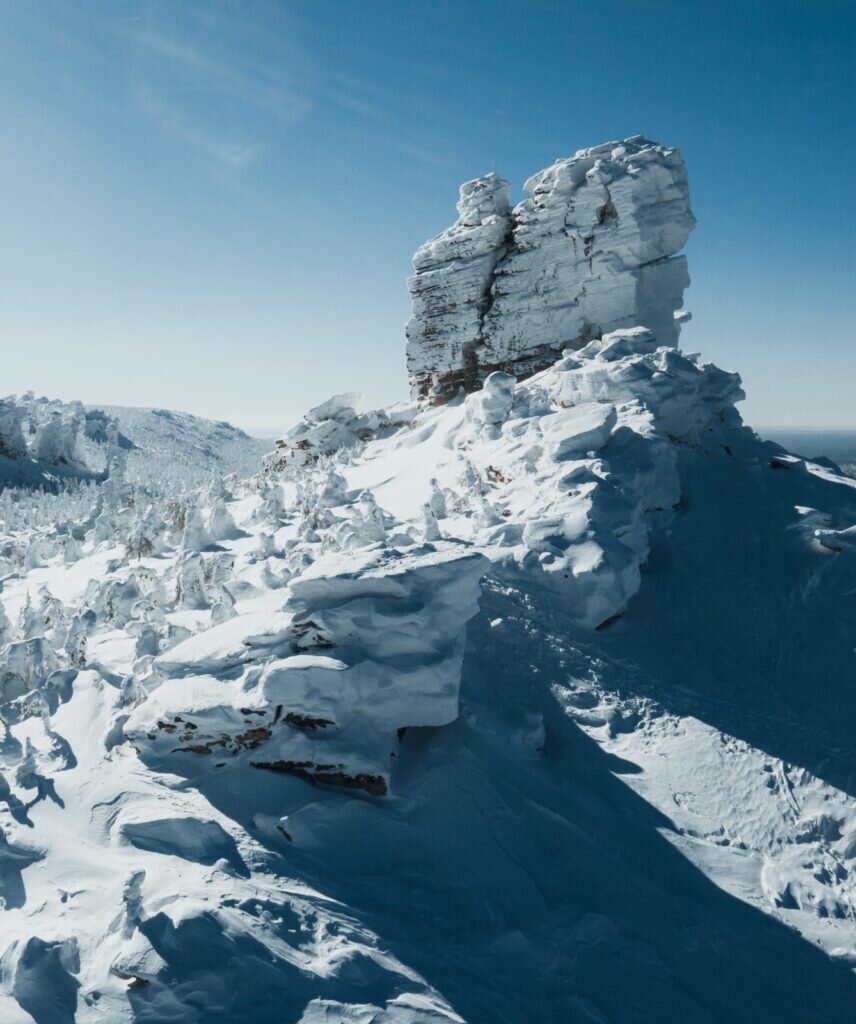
(370, 643)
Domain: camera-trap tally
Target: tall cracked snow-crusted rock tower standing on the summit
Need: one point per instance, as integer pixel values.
(592, 249)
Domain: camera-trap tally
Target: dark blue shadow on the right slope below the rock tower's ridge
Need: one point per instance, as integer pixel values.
(744, 621)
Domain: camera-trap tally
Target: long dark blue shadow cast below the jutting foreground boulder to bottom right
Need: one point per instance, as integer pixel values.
(526, 881)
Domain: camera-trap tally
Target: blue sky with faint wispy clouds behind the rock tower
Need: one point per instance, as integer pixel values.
(212, 206)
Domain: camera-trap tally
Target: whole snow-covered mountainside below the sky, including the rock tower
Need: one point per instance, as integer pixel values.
(528, 702)
